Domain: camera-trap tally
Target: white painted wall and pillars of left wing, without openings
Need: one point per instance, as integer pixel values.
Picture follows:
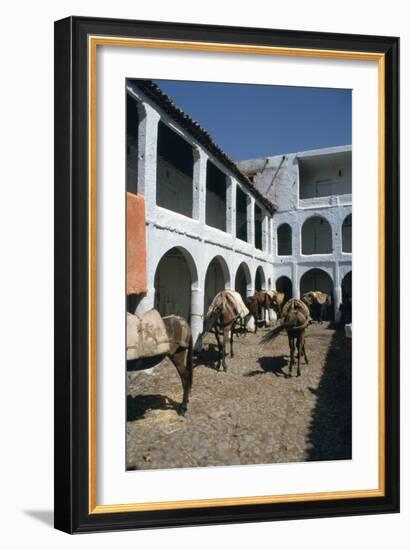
(198, 242)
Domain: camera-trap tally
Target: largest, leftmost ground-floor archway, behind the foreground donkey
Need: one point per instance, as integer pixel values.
(174, 277)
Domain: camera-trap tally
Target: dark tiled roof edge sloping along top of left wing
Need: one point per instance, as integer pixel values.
(154, 92)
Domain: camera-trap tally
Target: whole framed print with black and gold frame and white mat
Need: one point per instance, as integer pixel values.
(226, 274)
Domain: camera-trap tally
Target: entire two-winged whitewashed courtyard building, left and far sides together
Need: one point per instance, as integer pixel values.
(211, 224)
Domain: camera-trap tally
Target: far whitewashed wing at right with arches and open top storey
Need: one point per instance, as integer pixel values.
(312, 228)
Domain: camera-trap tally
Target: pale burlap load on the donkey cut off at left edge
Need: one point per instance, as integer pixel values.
(146, 335)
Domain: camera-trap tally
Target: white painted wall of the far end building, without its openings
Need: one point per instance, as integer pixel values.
(279, 178)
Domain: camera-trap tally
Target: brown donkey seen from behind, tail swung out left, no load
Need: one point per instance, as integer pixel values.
(295, 319)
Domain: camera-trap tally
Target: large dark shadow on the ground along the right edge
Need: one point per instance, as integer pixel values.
(330, 435)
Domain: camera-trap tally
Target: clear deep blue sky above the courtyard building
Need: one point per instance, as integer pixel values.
(251, 121)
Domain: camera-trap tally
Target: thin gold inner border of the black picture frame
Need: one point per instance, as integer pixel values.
(93, 42)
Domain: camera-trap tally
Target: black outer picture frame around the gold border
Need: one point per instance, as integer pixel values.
(72, 276)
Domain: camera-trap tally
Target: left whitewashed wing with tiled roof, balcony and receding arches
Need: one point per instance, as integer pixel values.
(208, 227)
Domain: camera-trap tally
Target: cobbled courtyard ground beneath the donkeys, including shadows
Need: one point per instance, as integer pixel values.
(252, 414)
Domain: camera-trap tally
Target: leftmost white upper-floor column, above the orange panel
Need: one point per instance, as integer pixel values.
(147, 157)
